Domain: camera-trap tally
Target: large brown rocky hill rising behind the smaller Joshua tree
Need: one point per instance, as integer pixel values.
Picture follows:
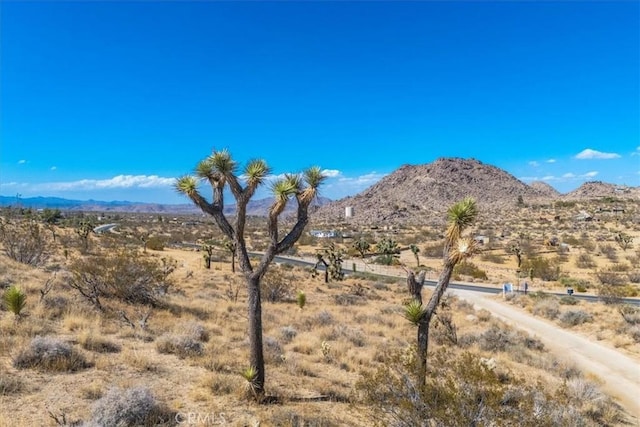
(422, 193)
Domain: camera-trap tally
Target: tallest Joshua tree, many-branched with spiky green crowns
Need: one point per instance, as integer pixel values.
(221, 171)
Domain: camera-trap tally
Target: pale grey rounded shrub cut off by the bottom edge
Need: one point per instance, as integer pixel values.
(128, 408)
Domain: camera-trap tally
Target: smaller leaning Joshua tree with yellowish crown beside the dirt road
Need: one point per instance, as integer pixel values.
(456, 249)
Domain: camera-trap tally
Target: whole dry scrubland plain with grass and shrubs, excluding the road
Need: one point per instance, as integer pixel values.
(130, 328)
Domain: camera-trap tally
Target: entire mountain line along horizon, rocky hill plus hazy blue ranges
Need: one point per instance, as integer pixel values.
(411, 194)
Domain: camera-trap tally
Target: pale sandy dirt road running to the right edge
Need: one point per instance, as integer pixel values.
(619, 373)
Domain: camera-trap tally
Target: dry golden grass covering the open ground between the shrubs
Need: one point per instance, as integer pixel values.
(315, 355)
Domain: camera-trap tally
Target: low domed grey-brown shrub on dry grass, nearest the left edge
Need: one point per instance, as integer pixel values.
(50, 354)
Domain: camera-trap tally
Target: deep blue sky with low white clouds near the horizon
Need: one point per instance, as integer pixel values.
(114, 100)
